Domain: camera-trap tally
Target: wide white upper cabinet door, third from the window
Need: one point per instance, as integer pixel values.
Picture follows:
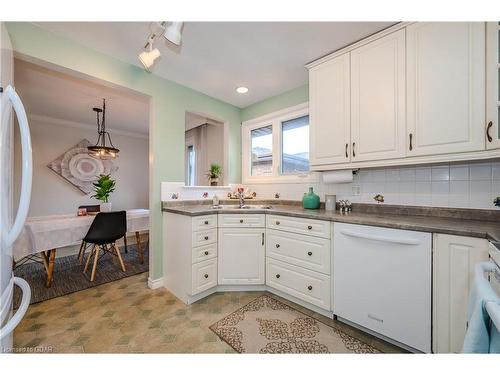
(446, 87)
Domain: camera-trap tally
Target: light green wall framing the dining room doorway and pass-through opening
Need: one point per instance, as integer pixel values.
(169, 102)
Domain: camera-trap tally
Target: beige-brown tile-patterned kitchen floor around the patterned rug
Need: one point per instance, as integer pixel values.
(125, 316)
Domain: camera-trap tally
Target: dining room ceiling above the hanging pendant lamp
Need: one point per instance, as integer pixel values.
(61, 96)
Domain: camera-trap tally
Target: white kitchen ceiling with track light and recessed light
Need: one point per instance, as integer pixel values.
(217, 57)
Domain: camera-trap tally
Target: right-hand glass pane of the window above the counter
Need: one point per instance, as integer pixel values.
(295, 145)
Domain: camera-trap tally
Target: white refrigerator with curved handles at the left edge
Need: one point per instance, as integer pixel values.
(10, 229)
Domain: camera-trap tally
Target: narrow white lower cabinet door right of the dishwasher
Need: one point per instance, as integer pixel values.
(454, 258)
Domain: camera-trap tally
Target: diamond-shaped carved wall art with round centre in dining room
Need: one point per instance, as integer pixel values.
(79, 168)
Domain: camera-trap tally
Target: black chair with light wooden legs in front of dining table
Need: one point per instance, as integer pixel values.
(106, 228)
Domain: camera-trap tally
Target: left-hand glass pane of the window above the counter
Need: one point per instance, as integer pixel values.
(262, 151)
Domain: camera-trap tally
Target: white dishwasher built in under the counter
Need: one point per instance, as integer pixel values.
(382, 281)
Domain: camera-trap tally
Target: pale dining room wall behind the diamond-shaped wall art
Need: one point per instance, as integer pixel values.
(51, 194)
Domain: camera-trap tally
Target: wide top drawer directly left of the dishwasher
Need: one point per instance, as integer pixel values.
(318, 228)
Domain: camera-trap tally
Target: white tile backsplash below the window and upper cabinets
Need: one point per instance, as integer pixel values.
(461, 185)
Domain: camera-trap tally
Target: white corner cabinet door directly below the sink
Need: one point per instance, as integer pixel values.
(241, 256)
